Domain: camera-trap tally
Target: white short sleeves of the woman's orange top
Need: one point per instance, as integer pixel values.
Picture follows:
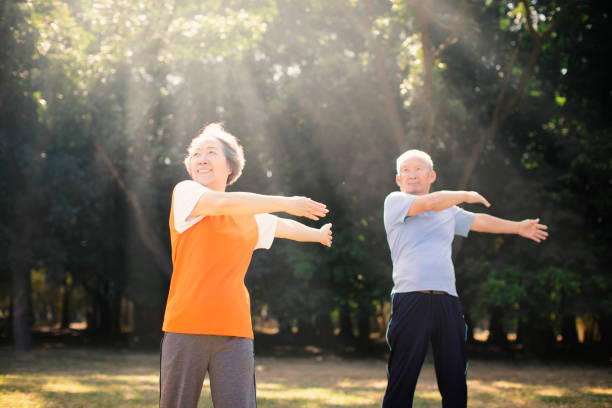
(186, 195)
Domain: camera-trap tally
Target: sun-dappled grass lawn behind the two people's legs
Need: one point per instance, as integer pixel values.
(106, 378)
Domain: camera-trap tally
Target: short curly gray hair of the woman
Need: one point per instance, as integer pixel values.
(234, 153)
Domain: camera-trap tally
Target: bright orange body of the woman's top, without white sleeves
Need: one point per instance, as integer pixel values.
(207, 291)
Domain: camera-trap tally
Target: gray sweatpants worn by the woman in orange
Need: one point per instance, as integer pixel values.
(185, 360)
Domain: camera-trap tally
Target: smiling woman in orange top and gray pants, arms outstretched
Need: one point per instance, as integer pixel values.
(207, 323)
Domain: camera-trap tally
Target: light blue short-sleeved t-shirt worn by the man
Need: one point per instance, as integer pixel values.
(421, 244)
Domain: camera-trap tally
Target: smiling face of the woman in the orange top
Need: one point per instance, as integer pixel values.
(208, 165)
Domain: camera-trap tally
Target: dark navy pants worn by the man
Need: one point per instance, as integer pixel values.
(416, 319)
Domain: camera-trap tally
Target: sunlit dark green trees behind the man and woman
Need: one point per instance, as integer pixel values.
(99, 99)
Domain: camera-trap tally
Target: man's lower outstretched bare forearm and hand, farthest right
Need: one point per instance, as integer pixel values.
(531, 229)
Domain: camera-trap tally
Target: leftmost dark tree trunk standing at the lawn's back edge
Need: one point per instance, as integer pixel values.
(22, 338)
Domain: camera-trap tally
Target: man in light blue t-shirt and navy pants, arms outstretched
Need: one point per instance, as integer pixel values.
(420, 228)
